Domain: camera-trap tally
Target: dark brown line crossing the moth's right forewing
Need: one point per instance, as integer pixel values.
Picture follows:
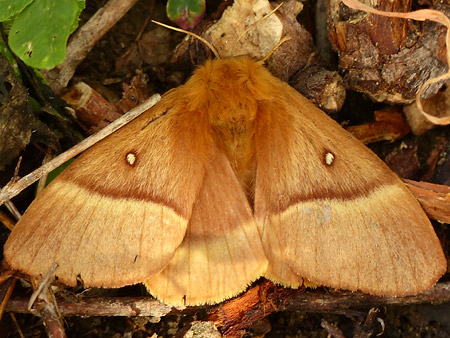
(344, 194)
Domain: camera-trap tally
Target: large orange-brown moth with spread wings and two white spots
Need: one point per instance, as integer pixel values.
(240, 177)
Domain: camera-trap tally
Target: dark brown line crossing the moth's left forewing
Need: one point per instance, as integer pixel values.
(135, 195)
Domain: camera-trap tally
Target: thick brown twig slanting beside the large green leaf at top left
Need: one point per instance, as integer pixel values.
(84, 39)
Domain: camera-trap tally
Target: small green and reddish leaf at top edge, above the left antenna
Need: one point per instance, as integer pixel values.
(186, 13)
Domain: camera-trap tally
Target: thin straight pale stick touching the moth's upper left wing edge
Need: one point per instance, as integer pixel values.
(15, 187)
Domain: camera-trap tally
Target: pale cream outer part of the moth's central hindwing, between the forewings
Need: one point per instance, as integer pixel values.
(211, 269)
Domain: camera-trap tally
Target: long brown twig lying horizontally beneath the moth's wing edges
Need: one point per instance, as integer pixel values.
(310, 301)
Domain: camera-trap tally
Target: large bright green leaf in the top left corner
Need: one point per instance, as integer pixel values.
(39, 34)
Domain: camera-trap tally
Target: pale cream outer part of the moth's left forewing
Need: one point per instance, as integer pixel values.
(85, 235)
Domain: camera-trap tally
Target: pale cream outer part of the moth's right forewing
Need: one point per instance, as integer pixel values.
(355, 244)
